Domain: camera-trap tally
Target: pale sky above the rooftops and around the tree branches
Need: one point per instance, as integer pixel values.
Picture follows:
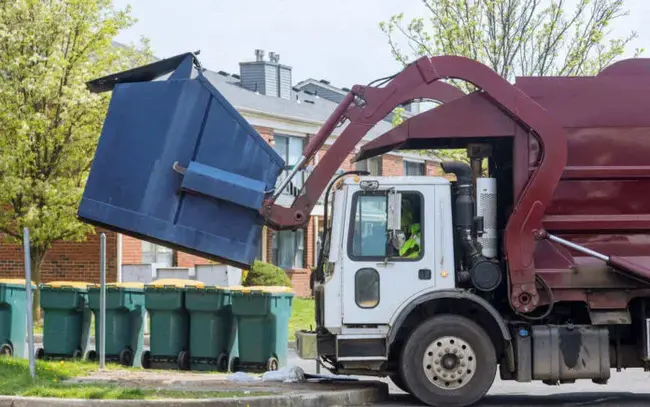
(336, 40)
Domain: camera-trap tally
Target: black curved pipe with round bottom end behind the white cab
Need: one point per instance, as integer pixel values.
(484, 274)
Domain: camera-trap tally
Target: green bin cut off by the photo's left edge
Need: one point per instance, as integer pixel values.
(13, 317)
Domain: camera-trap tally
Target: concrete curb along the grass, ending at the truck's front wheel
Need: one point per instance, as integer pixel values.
(353, 397)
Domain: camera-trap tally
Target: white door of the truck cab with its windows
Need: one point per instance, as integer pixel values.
(376, 280)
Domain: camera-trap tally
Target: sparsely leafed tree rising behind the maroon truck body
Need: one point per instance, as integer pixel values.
(514, 37)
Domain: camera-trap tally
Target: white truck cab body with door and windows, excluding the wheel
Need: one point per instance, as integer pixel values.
(369, 283)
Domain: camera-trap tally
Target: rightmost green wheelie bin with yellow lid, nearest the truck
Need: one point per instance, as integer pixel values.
(262, 316)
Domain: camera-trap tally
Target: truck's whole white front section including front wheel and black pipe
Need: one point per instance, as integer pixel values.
(377, 301)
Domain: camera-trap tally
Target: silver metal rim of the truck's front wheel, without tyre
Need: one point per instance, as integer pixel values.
(449, 363)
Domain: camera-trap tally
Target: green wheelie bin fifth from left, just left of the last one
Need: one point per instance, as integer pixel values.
(212, 336)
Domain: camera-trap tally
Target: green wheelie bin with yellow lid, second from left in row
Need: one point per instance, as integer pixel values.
(66, 320)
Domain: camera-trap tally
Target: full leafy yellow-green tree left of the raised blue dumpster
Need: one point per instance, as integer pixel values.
(49, 121)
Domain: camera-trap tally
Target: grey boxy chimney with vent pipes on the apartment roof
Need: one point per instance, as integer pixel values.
(269, 78)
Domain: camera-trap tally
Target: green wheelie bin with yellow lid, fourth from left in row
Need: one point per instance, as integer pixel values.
(169, 324)
